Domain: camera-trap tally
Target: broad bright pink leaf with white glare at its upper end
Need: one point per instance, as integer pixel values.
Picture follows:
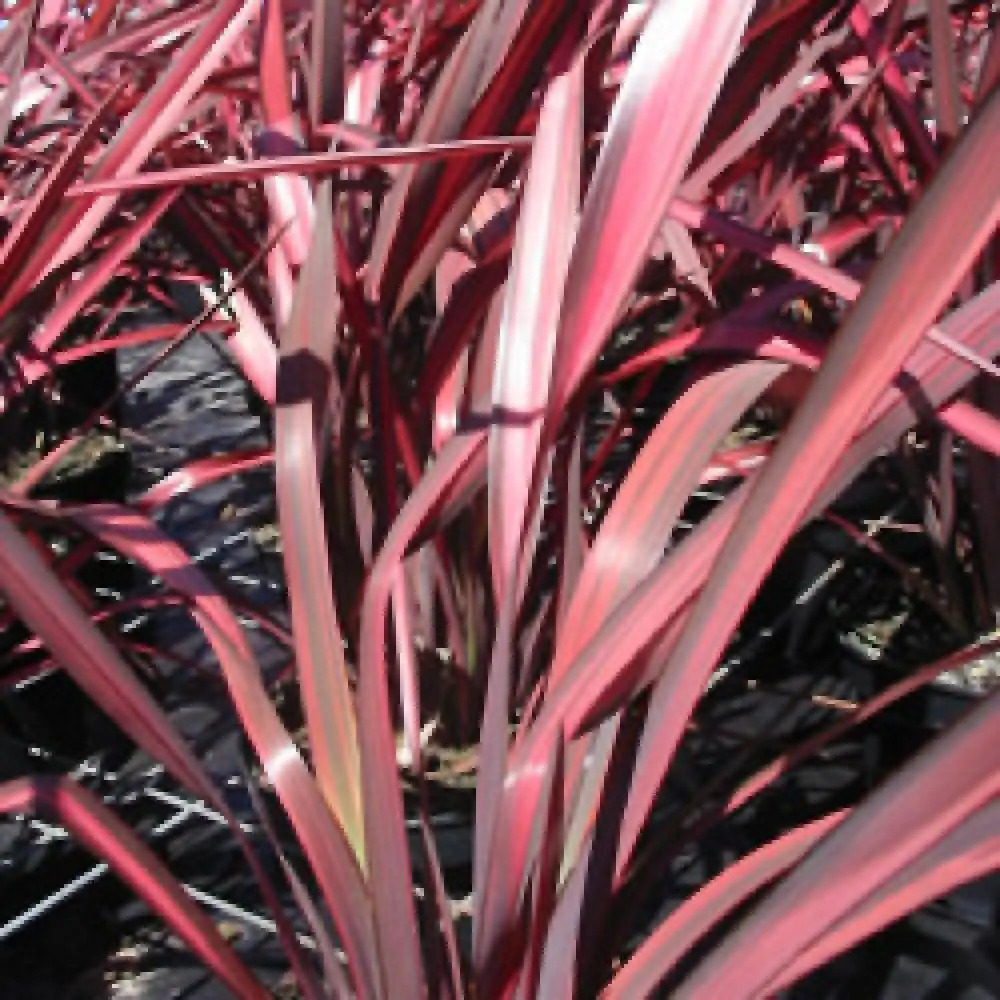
(673, 79)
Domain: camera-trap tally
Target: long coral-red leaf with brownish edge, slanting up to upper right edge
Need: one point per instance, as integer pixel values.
(902, 298)
